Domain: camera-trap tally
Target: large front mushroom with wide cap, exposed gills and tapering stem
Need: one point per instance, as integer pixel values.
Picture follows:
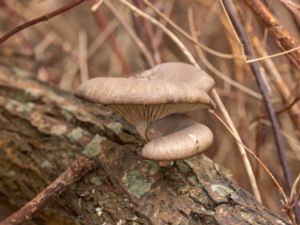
(142, 101)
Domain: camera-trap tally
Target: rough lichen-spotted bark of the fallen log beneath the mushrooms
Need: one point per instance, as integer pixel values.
(43, 129)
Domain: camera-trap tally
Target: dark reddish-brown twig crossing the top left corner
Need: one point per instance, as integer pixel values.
(45, 17)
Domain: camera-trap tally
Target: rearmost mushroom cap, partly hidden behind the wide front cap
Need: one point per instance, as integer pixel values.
(180, 72)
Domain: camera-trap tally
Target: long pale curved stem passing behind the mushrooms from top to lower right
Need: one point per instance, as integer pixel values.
(194, 62)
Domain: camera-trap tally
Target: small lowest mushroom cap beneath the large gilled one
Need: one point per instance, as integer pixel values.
(181, 138)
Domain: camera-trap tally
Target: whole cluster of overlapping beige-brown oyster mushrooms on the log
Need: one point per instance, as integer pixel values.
(157, 102)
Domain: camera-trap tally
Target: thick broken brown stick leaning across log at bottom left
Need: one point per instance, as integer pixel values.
(80, 166)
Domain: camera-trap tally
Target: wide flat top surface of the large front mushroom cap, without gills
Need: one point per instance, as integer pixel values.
(124, 91)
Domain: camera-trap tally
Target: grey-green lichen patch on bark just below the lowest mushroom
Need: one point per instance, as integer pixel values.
(136, 184)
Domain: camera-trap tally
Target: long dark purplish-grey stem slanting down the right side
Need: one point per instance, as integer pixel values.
(255, 69)
